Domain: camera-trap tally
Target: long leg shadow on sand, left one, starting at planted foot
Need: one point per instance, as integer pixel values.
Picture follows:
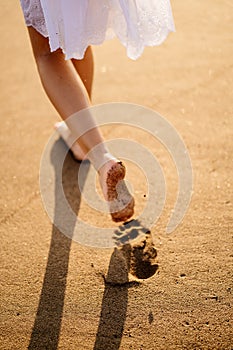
(46, 329)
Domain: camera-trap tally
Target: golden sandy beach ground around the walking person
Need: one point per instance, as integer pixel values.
(55, 293)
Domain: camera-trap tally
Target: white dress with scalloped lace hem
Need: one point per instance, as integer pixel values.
(73, 25)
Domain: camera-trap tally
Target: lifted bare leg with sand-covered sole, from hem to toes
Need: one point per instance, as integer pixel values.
(67, 92)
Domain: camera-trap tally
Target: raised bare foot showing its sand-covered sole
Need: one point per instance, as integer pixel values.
(116, 193)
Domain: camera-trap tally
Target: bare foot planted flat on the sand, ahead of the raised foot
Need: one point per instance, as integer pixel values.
(66, 135)
